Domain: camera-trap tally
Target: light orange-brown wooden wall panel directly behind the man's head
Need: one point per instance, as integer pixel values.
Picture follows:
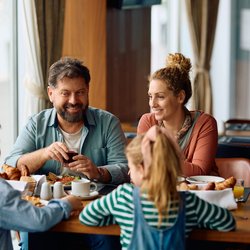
(85, 39)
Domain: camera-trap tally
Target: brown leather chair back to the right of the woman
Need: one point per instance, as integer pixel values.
(237, 167)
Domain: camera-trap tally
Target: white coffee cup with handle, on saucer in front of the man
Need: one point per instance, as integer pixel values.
(82, 187)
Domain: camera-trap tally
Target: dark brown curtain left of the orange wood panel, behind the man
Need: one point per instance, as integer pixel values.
(50, 19)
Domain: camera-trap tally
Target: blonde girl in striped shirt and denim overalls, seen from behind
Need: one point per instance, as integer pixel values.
(151, 213)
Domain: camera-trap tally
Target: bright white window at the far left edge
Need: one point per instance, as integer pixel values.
(8, 76)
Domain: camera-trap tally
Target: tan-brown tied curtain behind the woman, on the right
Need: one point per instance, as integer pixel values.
(202, 18)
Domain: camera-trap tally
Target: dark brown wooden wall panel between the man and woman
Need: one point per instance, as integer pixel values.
(128, 62)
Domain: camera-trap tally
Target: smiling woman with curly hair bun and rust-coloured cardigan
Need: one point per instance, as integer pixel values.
(195, 131)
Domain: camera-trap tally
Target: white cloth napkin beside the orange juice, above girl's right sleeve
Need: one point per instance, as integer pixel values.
(223, 198)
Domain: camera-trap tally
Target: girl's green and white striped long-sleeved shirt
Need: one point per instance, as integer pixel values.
(117, 208)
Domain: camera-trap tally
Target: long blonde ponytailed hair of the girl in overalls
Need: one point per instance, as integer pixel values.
(161, 176)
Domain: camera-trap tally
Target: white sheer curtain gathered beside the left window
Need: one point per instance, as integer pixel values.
(35, 95)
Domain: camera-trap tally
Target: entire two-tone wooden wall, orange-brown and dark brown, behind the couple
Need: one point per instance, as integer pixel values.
(115, 45)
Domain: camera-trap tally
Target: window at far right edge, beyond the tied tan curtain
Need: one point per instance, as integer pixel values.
(241, 60)
